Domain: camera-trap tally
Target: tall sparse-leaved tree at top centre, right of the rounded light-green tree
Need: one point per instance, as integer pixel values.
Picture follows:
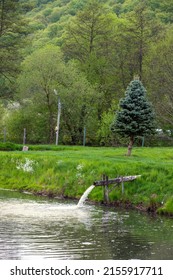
(89, 39)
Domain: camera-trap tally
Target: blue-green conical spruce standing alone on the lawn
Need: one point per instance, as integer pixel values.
(135, 116)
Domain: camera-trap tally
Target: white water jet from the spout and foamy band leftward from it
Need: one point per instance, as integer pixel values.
(45, 210)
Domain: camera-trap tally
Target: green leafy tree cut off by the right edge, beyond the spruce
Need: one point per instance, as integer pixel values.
(160, 68)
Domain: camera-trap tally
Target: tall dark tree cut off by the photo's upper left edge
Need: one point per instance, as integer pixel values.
(12, 33)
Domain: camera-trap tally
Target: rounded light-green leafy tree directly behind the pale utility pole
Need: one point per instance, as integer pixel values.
(42, 72)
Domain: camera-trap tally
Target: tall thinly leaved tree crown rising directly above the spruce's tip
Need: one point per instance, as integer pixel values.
(138, 32)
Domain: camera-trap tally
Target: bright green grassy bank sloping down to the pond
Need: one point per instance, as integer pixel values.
(67, 171)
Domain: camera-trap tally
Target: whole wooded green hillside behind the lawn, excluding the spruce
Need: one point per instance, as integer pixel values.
(87, 52)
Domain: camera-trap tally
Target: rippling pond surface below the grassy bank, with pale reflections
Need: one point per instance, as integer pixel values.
(40, 228)
